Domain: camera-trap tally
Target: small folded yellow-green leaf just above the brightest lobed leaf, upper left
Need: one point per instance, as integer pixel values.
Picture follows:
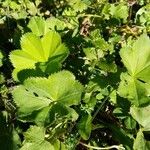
(38, 26)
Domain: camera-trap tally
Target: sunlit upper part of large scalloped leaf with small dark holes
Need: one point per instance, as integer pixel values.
(39, 93)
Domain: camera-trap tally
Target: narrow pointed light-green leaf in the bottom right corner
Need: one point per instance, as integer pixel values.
(139, 143)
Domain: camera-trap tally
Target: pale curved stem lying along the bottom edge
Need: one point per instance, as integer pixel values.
(119, 147)
